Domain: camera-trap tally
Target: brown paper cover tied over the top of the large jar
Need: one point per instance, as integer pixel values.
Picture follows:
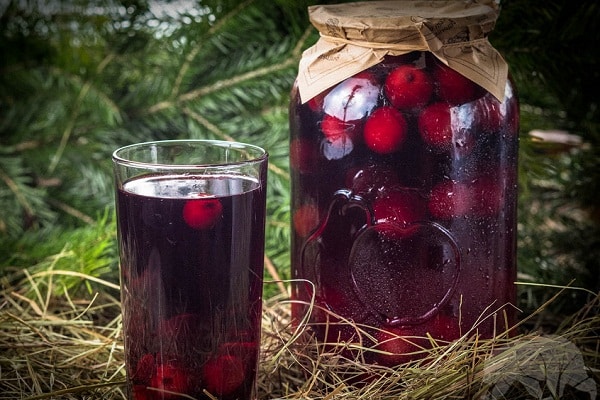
(356, 36)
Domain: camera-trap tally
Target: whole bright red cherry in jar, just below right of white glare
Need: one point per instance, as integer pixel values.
(385, 130)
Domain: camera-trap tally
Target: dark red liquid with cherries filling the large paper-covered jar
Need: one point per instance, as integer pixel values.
(413, 232)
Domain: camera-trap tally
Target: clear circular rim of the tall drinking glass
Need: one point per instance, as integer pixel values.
(261, 155)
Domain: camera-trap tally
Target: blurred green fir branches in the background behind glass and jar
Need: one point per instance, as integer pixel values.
(77, 82)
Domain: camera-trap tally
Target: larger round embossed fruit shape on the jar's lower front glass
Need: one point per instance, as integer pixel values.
(404, 274)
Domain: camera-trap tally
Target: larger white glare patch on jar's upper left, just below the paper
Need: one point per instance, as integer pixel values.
(353, 98)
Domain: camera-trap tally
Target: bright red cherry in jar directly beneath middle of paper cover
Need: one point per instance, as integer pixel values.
(408, 87)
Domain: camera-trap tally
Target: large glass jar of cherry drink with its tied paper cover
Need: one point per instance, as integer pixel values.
(404, 177)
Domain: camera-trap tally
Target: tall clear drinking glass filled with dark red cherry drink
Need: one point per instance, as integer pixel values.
(191, 228)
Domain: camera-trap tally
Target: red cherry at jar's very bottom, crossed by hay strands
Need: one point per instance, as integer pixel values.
(396, 346)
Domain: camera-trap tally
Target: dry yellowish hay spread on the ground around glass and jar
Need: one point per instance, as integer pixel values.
(70, 348)
